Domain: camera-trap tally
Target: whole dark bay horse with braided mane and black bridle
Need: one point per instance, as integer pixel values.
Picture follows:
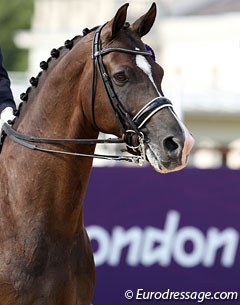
(103, 81)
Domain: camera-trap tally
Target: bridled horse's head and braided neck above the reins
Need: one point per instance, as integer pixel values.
(124, 97)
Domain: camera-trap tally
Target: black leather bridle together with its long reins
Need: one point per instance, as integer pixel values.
(130, 126)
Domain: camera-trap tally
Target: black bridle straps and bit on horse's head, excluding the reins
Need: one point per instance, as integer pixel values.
(131, 127)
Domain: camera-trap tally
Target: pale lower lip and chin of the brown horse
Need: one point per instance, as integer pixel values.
(154, 158)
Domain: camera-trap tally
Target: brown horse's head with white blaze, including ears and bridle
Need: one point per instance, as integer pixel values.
(130, 93)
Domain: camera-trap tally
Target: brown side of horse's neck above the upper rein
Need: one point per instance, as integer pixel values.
(57, 107)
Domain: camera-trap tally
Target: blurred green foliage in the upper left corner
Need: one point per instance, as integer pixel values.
(14, 15)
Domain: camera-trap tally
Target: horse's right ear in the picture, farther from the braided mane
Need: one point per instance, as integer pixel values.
(143, 25)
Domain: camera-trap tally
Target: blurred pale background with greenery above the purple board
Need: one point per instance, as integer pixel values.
(197, 42)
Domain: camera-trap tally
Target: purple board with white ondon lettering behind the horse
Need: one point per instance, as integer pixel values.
(156, 232)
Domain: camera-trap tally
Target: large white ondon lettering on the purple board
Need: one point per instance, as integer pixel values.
(152, 245)
